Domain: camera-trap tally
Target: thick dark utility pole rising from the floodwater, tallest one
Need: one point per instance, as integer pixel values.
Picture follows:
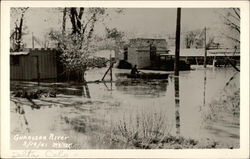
(177, 42)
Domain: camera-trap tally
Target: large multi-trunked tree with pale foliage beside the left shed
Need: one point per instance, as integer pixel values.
(78, 45)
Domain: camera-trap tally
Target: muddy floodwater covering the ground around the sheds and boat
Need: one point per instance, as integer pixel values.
(86, 114)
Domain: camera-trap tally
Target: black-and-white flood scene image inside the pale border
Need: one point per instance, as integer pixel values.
(161, 78)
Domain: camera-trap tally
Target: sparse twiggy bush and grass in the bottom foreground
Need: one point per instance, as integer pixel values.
(150, 131)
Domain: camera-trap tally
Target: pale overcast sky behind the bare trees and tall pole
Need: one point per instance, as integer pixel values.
(134, 22)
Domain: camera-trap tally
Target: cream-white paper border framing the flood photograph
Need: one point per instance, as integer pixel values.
(243, 152)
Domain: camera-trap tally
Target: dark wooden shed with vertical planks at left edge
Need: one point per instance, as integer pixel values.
(32, 64)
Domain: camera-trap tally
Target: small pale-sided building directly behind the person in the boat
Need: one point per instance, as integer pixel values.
(144, 52)
